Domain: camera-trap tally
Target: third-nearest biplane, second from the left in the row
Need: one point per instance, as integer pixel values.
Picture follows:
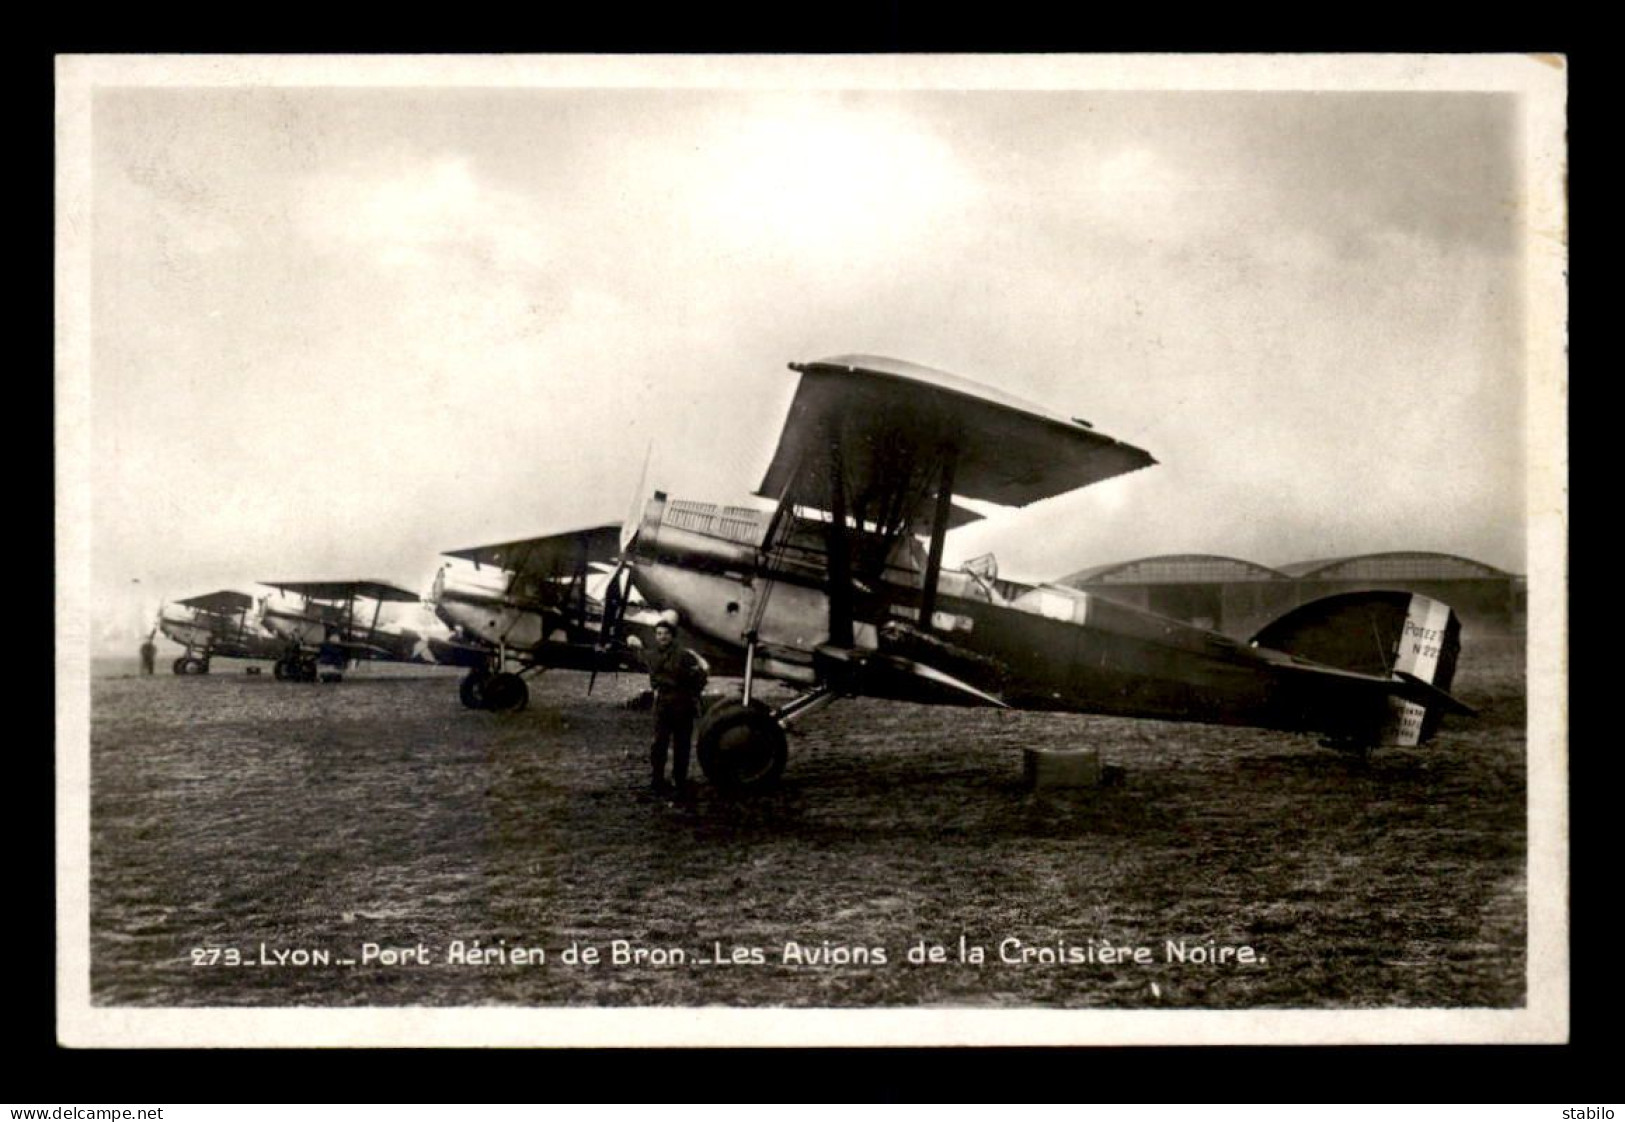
(331, 620)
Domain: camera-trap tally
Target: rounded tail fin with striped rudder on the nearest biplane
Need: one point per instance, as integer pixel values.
(1406, 638)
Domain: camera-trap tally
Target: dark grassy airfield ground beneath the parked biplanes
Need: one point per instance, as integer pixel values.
(240, 817)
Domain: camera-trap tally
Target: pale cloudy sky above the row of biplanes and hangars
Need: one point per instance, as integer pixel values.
(336, 331)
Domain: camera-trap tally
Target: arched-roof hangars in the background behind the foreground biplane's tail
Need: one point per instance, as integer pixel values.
(1239, 598)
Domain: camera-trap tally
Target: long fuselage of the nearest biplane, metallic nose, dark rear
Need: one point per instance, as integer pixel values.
(1026, 646)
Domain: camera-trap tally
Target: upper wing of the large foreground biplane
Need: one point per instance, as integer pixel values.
(890, 417)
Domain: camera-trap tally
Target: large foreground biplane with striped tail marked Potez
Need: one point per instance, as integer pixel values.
(841, 589)
